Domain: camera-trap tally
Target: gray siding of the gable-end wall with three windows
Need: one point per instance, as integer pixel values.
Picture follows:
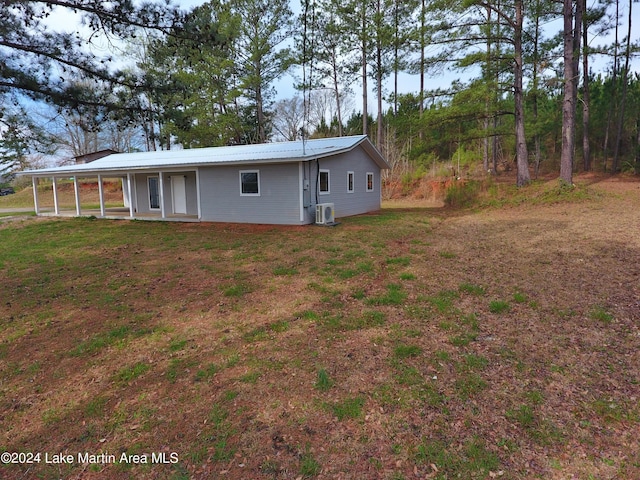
(346, 204)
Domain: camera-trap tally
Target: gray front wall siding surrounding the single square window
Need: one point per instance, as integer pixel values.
(278, 202)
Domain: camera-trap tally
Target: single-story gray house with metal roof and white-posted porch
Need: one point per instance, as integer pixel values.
(291, 183)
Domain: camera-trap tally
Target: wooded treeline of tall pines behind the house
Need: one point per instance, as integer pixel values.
(206, 77)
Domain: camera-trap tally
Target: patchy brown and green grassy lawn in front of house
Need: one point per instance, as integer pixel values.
(495, 343)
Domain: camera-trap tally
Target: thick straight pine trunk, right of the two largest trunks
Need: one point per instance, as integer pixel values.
(568, 103)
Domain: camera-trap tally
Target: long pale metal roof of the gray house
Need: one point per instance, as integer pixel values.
(280, 152)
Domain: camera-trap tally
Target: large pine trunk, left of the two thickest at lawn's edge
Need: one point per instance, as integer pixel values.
(522, 159)
